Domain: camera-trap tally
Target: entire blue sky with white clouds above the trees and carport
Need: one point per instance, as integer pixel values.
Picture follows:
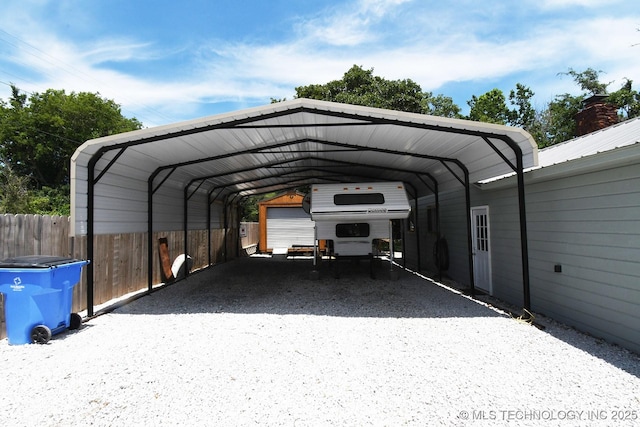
(165, 61)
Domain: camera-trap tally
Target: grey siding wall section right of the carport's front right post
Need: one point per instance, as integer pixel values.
(589, 224)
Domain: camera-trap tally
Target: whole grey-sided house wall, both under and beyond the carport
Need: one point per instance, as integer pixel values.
(588, 223)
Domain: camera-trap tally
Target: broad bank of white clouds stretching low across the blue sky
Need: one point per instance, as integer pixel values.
(323, 49)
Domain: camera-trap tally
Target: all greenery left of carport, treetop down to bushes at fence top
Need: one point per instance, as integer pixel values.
(38, 136)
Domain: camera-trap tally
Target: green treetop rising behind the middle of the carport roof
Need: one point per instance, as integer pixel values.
(361, 87)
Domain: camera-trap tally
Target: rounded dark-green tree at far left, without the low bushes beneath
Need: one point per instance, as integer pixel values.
(38, 135)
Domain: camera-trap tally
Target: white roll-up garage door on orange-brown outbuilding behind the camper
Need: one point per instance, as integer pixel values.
(288, 227)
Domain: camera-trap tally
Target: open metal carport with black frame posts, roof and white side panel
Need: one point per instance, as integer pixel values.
(167, 177)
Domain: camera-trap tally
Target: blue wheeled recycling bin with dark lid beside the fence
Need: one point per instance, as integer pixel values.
(38, 293)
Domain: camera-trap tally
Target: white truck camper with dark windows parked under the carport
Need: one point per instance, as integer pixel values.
(352, 216)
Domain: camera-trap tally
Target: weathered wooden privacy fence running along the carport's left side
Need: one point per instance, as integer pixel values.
(120, 260)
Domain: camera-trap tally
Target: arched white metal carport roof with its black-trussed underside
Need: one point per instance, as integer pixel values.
(303, 141)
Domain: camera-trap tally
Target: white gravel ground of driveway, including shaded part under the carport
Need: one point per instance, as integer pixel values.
(256, 342)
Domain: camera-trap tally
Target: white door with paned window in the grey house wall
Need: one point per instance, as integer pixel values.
(481, 248)
